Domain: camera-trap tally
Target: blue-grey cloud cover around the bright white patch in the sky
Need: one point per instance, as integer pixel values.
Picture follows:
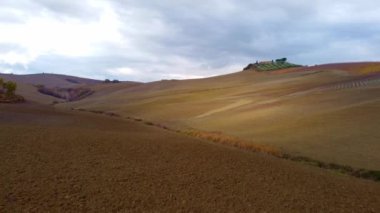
(207, 36)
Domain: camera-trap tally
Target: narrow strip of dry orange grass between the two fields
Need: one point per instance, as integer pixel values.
(220, 138)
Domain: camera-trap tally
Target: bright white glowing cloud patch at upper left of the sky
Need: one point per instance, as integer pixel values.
(45, 34)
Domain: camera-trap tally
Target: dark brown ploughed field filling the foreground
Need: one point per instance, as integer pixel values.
(56, 161)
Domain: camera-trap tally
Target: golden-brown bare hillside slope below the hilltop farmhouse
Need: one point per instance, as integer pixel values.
(327, 112)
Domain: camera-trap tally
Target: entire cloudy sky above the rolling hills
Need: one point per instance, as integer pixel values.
(145, 41)
